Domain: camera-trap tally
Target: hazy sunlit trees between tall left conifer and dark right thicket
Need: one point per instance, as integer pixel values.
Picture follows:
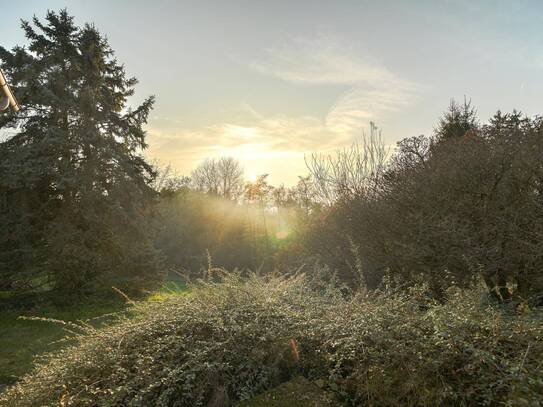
(215, 218)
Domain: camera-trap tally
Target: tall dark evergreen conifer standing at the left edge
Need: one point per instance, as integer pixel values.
(75, 184)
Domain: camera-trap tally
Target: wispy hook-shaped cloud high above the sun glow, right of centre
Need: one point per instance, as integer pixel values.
(373, 90)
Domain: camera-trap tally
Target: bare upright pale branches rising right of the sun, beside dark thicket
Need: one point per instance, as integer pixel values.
(353, 171)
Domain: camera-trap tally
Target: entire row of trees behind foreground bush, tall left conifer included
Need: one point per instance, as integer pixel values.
(81, 210)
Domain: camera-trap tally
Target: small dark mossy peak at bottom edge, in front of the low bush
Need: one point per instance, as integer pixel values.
(298, 392)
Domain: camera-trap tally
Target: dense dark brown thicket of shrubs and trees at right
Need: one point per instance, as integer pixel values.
(446, 209)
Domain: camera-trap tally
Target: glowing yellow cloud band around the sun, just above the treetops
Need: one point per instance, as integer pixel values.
(275, 145)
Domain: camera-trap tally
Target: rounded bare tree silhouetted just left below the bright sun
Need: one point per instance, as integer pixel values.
(219, 176)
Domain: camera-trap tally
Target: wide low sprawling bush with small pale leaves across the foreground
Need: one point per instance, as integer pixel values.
(230, 340)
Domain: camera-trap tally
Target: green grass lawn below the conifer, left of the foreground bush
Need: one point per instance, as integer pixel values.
(22, 340)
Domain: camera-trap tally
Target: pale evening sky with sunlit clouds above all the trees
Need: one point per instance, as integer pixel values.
(270, 82)
